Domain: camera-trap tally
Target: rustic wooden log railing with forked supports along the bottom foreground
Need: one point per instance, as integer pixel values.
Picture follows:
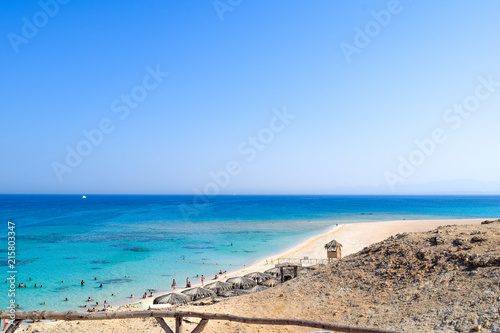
(178, 315)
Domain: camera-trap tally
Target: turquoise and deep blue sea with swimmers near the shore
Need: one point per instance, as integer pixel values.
(134, 243)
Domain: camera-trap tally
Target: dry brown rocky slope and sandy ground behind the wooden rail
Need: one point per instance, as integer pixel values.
(445, 280)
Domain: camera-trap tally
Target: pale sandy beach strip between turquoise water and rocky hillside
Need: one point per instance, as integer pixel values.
(353, 236)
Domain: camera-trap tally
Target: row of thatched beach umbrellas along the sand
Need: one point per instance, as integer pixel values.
(236, 286)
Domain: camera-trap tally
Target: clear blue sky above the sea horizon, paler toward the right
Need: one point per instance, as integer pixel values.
(240, 96)
